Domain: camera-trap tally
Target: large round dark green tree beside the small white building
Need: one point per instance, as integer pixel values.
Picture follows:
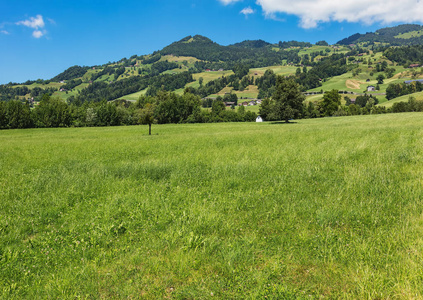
(287, 99)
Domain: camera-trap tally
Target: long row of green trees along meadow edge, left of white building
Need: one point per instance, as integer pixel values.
(164, 108)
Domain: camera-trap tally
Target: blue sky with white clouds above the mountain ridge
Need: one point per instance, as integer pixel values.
(39, 39)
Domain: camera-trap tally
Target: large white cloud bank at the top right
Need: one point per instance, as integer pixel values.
(313, 12)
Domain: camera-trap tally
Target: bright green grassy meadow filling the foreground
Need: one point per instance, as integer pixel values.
(323, 208)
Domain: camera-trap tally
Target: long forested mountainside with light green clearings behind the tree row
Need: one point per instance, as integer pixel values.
(208, 69)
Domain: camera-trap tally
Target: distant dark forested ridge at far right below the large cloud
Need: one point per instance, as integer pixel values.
(402, 35)
